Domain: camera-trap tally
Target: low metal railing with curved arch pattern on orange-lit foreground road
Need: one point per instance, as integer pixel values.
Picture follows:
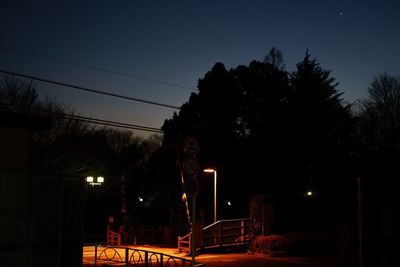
(136, 257)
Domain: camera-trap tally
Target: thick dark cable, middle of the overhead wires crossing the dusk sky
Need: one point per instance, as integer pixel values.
(77, 87)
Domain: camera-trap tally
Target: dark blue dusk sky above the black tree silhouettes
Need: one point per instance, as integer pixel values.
(179, 41)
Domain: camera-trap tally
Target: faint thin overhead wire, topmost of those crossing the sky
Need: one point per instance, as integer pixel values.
(99, 69)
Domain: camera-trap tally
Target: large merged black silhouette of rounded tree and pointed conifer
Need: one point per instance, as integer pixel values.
(265, 129)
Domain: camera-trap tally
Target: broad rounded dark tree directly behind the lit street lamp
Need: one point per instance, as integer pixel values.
(237, 116)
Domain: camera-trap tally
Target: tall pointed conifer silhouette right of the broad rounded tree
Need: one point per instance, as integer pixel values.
(322, 139)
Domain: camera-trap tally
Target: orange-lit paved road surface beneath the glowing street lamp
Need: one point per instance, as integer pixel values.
(229, 260)
